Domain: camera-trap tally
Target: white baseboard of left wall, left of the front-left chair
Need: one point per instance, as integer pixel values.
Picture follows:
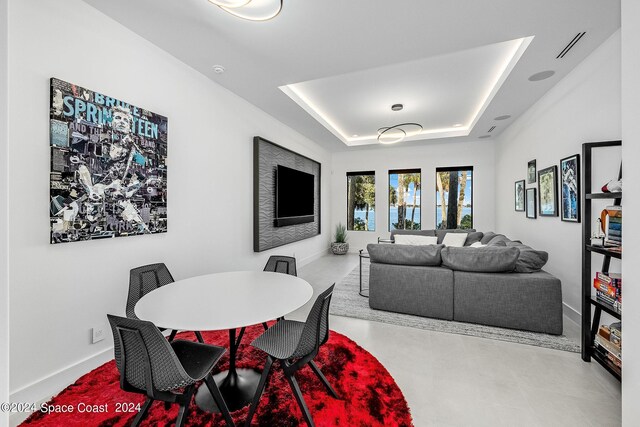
(45, 388)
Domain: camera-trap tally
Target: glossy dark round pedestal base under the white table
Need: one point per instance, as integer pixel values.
(237, 388)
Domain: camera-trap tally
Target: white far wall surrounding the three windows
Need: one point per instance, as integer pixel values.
(479, 154)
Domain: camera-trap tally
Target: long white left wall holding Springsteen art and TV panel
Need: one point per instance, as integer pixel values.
(58, 292)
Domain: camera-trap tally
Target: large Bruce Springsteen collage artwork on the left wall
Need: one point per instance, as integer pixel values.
(108, 175)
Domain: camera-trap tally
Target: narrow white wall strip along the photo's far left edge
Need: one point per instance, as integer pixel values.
(4, 164)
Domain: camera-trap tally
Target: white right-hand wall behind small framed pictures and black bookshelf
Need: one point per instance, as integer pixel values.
(583, 107)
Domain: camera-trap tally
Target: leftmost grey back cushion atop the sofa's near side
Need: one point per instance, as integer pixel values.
(405, 254)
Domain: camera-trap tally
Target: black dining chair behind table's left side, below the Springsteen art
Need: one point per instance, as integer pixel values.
(145, 279)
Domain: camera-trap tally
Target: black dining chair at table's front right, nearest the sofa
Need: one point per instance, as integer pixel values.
(295, 344)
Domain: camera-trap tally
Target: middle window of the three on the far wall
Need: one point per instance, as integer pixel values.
(404, 199)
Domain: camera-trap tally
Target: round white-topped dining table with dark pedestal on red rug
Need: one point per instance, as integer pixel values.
(220, 301)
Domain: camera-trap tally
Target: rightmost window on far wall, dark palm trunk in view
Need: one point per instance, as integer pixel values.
(454, 197)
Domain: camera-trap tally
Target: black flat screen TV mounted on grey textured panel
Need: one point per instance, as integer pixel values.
(295, 196)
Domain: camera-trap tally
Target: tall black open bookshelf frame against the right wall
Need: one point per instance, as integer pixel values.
(590, 324)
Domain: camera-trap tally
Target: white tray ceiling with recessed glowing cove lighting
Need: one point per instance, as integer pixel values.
(344, 63)
